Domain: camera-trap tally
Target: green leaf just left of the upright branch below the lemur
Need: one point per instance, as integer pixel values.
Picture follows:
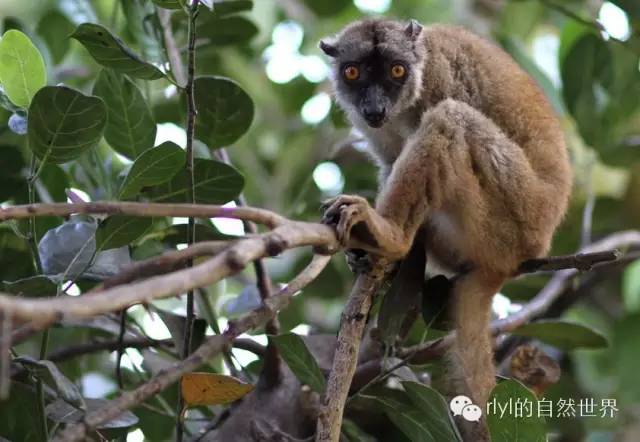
(300, 360)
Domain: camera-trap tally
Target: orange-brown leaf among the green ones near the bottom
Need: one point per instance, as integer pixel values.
(211, 389)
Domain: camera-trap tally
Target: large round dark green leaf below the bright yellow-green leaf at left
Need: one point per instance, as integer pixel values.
(63, 123)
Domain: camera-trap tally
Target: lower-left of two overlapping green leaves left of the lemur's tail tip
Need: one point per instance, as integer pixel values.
(402, 412)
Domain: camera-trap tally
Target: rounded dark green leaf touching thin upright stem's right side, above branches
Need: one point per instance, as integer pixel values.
(225, 111)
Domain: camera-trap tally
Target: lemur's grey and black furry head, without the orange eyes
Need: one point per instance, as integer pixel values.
(373, 48)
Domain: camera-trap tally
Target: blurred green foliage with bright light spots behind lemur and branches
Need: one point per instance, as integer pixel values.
(298, 151)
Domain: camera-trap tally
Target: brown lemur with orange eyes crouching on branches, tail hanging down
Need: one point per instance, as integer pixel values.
(470, 153)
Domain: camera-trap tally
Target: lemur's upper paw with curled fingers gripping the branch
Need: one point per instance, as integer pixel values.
(344, 212)
